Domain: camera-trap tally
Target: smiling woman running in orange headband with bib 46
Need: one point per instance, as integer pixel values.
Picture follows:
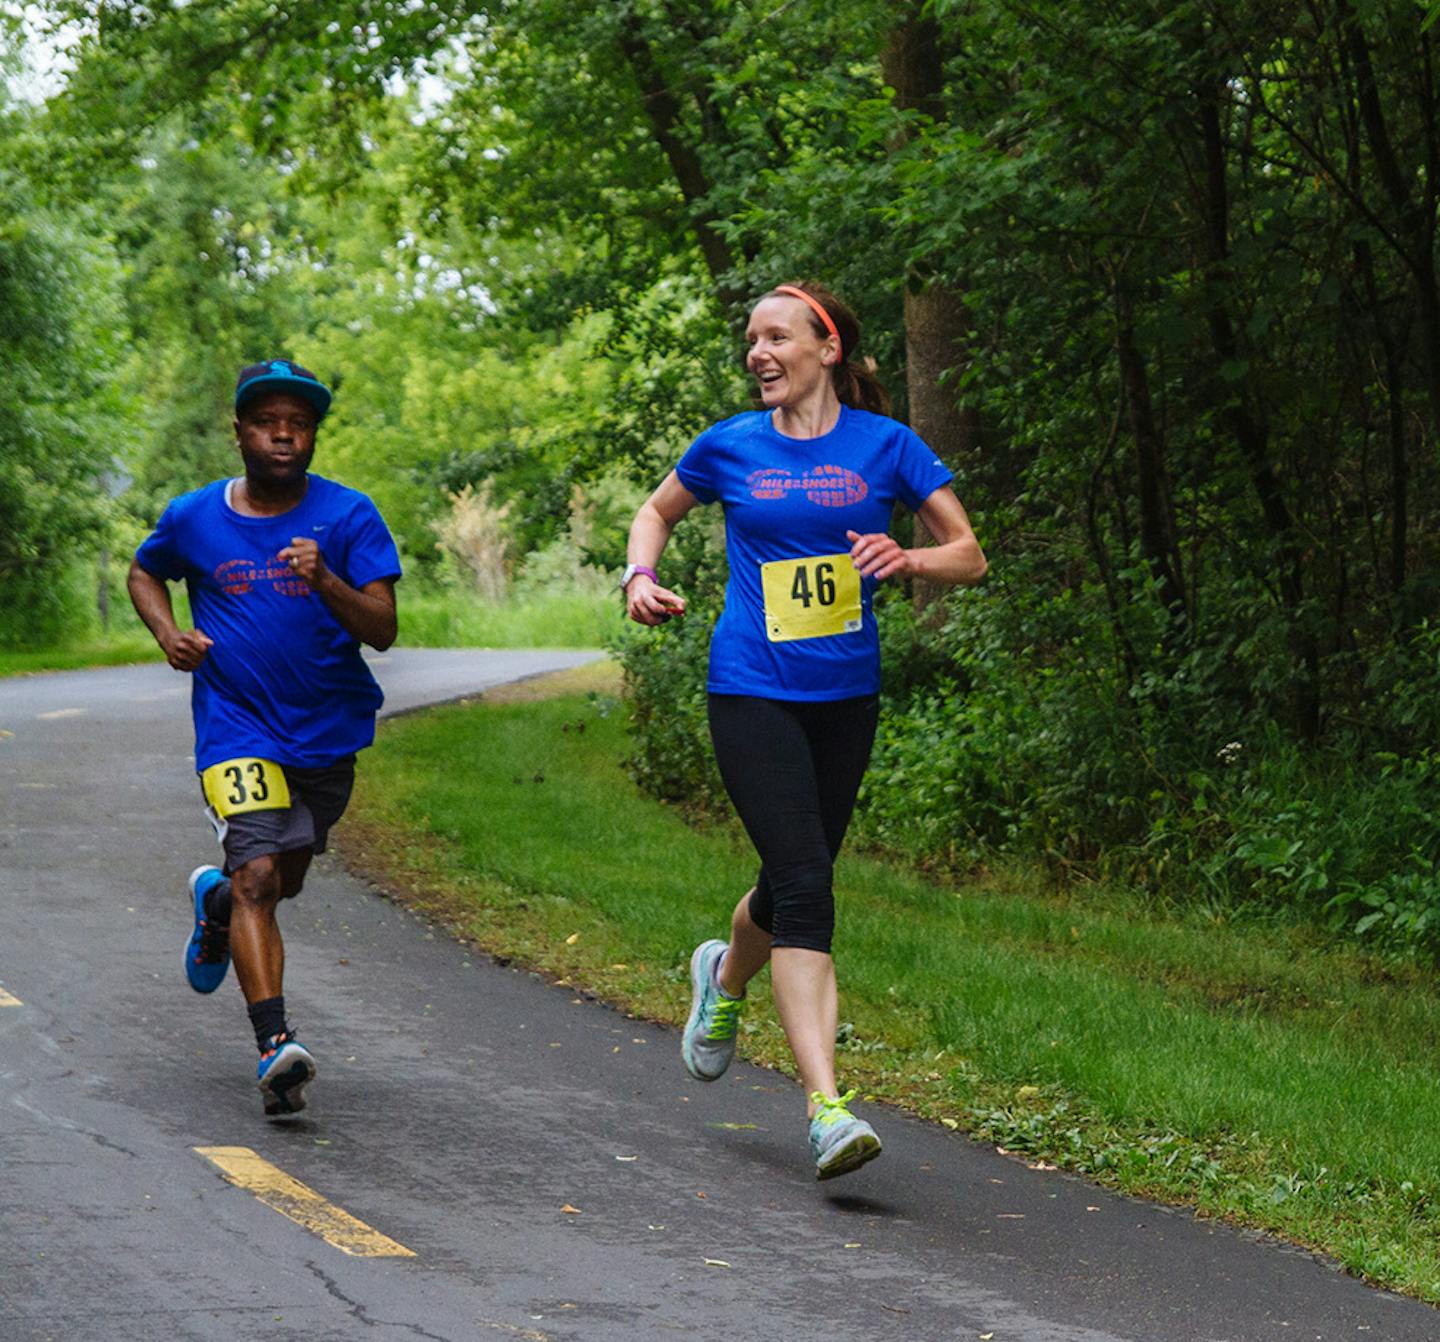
(809, 485)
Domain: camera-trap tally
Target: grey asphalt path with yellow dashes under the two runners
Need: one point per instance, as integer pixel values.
(542, 1160)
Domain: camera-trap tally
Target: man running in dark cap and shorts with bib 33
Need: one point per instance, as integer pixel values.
(287, 575)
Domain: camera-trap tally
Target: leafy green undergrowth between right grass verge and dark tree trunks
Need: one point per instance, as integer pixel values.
(1036, 722)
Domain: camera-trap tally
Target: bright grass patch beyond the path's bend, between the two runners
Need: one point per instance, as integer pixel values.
(457, 620)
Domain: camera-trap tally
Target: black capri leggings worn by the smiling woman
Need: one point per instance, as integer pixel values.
(793, 771)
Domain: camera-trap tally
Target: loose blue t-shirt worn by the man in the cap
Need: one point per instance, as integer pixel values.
(284, 680)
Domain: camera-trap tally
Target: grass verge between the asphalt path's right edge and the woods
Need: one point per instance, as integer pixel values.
(1248, 1072)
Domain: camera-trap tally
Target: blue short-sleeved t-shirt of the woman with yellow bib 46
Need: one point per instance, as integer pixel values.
(791, 499)
